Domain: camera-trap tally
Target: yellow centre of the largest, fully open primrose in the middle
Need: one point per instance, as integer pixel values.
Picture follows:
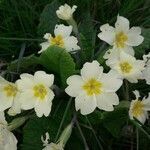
(92, 87)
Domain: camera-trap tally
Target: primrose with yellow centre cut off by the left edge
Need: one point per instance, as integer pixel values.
(8, 94)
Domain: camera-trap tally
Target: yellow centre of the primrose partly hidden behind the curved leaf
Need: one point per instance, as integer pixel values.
(58, 41)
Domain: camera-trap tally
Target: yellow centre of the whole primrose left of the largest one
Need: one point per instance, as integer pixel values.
(40, 91)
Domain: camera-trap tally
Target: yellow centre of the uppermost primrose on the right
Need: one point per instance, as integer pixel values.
(121, 38)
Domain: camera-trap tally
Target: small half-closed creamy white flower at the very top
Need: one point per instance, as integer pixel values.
(65, 12)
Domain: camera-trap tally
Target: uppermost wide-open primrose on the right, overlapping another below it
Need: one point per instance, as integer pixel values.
(121, 37)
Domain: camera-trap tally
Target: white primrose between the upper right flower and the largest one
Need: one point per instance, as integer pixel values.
(127, 67)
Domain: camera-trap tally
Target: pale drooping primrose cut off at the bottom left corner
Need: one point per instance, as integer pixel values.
(7, 139)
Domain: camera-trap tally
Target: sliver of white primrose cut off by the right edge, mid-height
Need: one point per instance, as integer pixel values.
(146, 71)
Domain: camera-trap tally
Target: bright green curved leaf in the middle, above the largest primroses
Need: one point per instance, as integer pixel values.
(59, 61)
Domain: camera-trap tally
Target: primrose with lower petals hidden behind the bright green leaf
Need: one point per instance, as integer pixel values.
(62, 38)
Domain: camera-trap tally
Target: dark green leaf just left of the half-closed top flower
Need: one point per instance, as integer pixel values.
(48, 18)
